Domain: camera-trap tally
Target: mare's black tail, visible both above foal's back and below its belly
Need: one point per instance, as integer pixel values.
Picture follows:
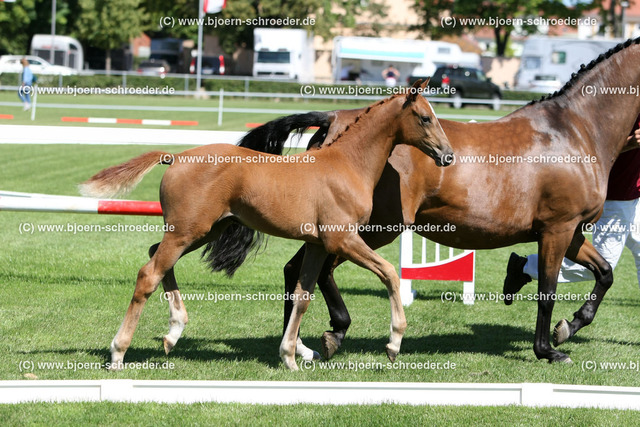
(237, 241)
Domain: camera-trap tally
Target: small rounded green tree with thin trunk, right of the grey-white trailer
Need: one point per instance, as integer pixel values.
(108, 24)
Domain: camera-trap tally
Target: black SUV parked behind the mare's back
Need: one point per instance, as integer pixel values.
(468, 83)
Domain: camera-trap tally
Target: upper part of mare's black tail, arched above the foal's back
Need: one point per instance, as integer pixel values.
(271, 136)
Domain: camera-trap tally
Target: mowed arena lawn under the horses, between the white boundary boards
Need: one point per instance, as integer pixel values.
(64, 296)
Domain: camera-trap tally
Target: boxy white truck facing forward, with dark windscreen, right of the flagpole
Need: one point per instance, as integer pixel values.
(283, 53)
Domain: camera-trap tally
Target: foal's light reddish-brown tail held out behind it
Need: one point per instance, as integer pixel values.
(123, 178)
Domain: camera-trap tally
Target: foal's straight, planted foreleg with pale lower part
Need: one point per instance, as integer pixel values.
(314, 255)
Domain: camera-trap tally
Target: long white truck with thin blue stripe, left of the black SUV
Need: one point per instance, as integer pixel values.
(370, 55)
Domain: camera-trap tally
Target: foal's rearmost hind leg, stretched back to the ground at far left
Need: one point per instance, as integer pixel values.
(167, 254)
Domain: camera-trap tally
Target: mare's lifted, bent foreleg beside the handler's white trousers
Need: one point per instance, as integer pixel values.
(588, 257)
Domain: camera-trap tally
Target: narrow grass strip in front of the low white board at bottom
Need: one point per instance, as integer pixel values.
(286, 415)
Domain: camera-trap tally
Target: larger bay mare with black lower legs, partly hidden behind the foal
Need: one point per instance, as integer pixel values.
(497, 205)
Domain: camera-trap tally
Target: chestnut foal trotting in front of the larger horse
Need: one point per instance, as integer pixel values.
(332, 187)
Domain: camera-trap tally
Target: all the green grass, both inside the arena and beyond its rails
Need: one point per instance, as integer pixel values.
(63, 297)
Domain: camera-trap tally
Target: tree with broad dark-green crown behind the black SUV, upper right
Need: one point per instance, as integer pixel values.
(502, 15)
